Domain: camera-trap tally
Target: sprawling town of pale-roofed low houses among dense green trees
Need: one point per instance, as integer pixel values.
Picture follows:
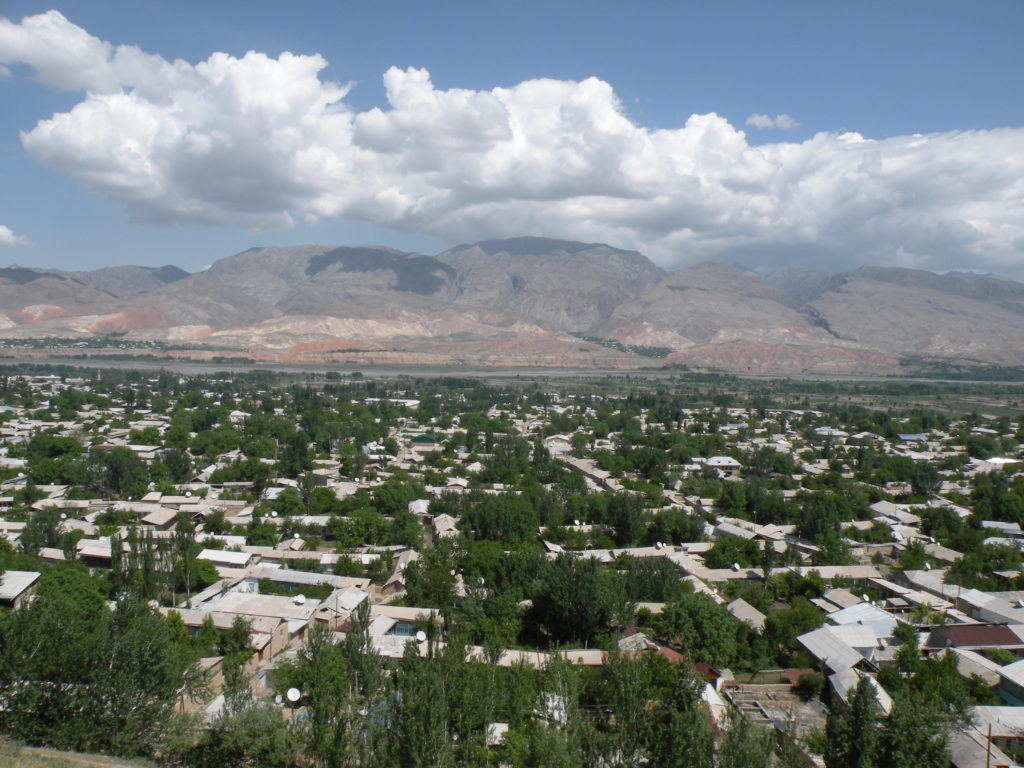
(338, 570)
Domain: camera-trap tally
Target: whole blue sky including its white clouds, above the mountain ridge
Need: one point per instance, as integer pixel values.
(762, 134)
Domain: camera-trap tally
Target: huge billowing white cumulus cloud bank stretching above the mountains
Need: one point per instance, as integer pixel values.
(260, 142)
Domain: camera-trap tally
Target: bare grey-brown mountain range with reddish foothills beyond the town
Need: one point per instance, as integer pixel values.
(527, 302)
